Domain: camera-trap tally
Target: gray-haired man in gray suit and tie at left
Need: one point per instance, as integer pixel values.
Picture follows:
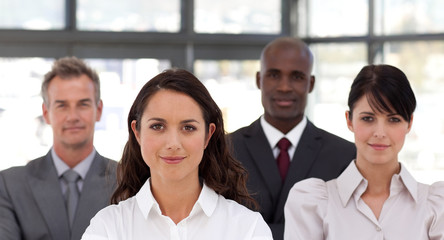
(56, 195)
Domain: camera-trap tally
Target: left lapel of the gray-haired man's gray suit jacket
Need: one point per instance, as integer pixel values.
(48, 195)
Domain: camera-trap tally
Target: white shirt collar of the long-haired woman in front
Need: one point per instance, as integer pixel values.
(207, 201)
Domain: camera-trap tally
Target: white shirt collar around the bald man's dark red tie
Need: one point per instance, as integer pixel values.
(274, 135)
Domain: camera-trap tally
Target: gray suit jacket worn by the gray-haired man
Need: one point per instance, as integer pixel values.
(32, 204)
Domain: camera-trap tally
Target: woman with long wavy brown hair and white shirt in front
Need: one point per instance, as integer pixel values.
(176, 178)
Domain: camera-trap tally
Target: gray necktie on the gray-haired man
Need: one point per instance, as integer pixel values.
(72, 193)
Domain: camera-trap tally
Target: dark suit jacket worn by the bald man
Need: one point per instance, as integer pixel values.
(319, 154)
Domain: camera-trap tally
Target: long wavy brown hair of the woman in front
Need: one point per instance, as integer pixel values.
(218, 168)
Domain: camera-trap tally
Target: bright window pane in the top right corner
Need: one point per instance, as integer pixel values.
(408, 16)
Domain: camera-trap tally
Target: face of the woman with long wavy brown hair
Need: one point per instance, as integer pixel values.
(172, 136)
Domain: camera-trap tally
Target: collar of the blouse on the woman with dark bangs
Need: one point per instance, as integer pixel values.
(351, 182)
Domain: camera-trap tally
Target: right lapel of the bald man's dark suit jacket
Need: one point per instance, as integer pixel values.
(303, 159)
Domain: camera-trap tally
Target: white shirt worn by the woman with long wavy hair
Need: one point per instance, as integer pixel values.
(212, 217)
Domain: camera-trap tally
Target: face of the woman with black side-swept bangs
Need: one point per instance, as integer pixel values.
(378, 136)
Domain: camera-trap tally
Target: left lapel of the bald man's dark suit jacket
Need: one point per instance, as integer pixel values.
(262, 155)
